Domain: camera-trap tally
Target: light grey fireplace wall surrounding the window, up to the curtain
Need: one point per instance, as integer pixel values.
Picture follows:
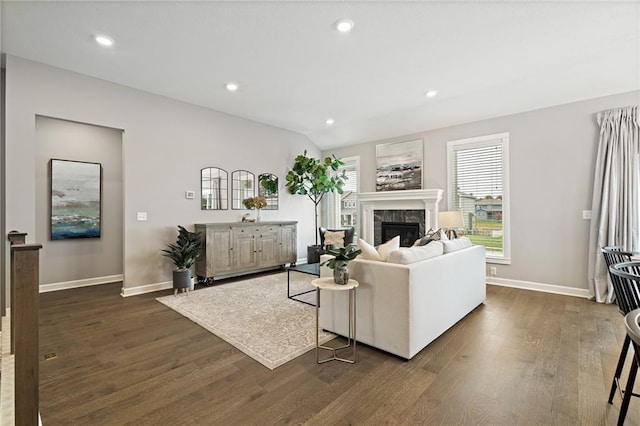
(552, 155)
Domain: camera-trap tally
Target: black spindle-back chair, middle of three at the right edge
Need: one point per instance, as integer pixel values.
(625, 278)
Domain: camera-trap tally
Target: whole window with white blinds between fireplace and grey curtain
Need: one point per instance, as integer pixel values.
(477, 185)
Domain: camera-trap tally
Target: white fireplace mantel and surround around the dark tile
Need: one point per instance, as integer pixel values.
(417, 199)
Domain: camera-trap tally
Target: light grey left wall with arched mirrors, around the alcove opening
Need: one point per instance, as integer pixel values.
(165, 144)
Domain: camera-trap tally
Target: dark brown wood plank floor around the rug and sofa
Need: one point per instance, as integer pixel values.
(522, 358)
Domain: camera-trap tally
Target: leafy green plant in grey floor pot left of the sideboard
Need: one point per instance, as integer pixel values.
(183, 253)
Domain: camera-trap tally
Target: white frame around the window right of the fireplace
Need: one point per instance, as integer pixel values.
(477, 142)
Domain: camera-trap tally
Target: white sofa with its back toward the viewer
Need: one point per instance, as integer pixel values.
(401, 308)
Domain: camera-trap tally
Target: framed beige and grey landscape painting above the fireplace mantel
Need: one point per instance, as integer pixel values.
(399, 166)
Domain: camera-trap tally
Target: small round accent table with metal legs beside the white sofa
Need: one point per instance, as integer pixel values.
(327, 284)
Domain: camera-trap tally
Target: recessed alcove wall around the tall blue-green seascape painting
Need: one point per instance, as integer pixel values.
(65, 261)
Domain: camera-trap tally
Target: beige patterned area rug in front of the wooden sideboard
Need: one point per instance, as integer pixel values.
(255, 316)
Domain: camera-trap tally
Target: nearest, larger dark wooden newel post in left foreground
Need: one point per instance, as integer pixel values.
(24, 309)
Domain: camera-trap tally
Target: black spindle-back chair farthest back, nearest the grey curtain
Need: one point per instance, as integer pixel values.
(612, 256)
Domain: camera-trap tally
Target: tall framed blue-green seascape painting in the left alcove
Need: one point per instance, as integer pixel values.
(76, 190)
